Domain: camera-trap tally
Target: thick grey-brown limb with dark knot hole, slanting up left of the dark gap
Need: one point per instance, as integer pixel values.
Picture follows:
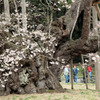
(63, 26)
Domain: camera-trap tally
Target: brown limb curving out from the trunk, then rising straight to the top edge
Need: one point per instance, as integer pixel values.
(77, 44)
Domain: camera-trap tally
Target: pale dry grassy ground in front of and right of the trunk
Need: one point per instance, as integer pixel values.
(79, 93)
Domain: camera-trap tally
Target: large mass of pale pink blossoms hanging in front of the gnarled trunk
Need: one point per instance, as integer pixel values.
(24, 45)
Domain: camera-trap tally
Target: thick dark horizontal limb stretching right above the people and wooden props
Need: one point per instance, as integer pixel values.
(70, 49)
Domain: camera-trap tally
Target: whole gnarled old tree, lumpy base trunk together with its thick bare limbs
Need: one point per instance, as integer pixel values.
(36, 75)
